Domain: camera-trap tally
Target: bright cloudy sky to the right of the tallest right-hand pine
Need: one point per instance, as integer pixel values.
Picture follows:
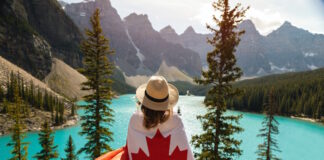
(269, 15)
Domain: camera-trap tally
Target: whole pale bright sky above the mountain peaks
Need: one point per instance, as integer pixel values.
(267, 15)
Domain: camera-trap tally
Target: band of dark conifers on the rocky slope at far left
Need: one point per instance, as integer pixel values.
(32, 96)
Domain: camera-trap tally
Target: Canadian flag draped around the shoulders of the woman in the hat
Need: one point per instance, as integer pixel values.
(167, 141)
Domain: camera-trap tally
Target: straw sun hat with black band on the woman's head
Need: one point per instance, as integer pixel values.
(157, 94)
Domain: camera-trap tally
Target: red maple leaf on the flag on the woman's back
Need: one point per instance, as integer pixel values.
(159, 148)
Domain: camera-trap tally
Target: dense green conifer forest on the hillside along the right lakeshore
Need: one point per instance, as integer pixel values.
(298, 94)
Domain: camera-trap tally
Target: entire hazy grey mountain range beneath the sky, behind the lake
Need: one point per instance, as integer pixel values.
(140, 49)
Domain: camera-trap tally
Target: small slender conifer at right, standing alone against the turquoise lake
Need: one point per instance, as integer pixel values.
(270, 127)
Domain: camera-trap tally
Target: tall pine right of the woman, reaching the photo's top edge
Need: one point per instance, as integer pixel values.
(217, 141)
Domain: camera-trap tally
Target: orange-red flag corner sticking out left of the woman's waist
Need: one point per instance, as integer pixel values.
(118, 154)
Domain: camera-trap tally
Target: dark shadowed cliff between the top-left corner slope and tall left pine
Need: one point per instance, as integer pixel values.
(50, 21)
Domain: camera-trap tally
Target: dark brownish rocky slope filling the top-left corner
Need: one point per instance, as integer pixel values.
(20, 43)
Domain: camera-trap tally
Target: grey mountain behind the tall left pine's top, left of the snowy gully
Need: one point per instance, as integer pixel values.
(113, 28)
